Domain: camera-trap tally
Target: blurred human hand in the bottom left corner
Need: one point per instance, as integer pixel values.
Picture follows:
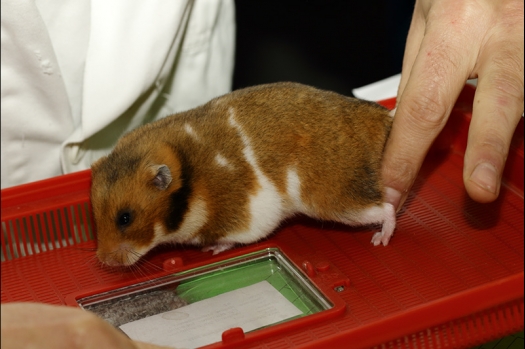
(36, 325)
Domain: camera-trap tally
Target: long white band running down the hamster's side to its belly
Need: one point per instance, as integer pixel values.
(266, 206)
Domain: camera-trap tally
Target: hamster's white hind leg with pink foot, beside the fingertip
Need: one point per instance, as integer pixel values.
(384, 214)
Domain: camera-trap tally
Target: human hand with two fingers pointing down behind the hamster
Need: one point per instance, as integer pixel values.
(449, 42)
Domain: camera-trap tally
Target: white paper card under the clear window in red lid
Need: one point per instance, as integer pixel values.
(203, 322)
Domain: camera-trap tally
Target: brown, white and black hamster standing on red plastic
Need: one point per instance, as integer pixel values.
(229, 171)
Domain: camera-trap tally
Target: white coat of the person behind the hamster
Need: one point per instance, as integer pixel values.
(76, 75)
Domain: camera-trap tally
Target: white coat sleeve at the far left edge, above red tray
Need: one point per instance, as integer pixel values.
(35, 112)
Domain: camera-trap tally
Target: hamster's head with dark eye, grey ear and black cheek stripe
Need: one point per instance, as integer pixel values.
(134, 197)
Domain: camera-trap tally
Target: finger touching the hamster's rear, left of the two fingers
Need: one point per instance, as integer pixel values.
(438, 75)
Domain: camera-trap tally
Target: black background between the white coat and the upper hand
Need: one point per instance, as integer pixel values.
(336, 45)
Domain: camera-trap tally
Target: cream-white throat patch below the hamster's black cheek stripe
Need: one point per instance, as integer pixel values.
(194, 220)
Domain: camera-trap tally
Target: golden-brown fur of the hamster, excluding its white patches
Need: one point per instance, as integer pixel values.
(335, 144)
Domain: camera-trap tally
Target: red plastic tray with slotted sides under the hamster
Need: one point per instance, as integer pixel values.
(452, 276)
